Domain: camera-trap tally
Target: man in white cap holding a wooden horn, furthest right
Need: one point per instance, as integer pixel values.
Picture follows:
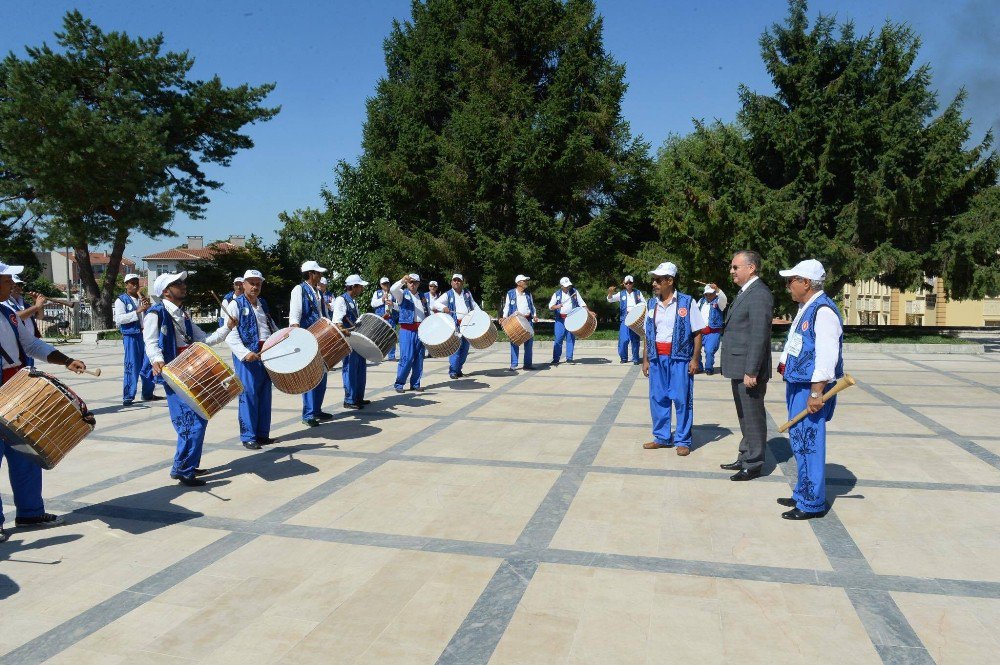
(813, 361)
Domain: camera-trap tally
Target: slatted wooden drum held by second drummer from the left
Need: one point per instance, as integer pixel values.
(202, 380)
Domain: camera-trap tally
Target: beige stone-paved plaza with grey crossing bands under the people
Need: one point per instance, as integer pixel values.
(514, 518)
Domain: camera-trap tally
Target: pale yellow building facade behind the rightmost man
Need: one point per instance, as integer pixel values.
(873, 304)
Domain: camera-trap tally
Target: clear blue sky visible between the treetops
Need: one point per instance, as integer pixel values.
(683, 60)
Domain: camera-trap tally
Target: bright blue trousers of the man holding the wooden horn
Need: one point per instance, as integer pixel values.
(808, 440)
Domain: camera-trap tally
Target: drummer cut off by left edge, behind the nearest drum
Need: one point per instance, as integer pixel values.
(17, 343)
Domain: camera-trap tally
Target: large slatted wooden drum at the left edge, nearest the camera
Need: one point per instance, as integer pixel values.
(41, 417)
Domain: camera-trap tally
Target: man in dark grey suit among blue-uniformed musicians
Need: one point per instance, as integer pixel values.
(746, 360)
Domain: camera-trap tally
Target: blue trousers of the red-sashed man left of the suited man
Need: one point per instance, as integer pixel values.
(670, 384)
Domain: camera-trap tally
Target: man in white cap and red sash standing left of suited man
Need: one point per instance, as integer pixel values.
(670, 359)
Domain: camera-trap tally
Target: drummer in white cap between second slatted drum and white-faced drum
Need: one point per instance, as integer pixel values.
(253, 326)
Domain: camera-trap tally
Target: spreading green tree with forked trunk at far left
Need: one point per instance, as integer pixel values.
(107, 136)
